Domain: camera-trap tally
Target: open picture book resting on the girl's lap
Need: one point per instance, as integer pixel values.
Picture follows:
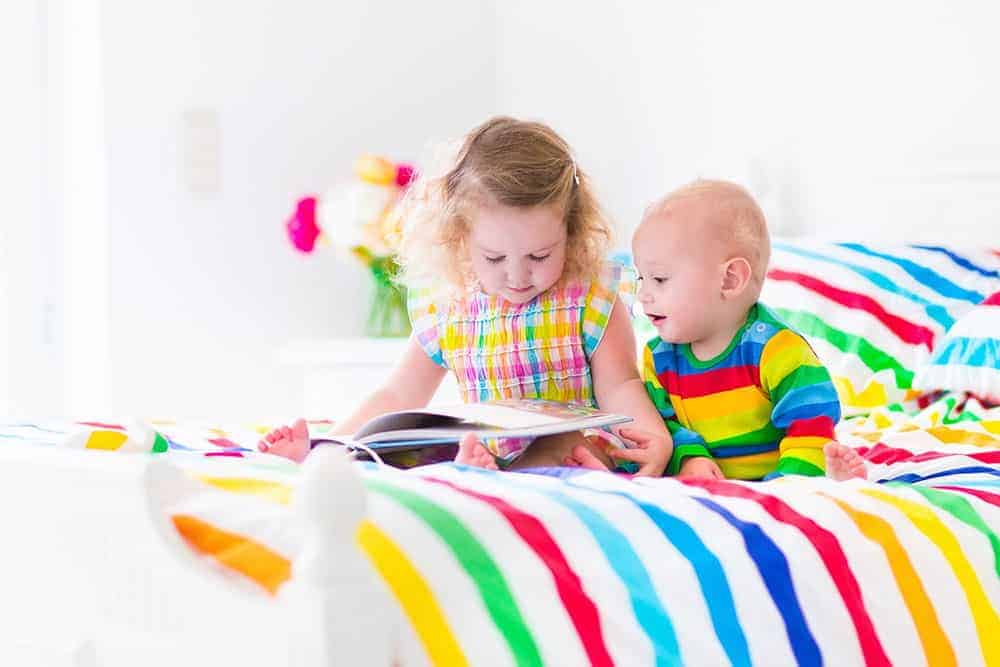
(440, 425)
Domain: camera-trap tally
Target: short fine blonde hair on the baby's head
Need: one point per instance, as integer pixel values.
(736, 218)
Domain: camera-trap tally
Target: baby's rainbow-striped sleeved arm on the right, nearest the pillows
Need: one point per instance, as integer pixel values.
(805, 403)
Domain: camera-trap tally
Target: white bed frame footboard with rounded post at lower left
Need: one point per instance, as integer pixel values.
(95, 575)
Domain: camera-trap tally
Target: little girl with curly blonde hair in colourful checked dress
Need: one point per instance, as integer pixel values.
(504, 257)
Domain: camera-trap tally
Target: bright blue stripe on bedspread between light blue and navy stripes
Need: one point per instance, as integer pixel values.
(707, 568)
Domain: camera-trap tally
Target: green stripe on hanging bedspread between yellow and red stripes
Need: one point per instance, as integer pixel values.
(478, 564)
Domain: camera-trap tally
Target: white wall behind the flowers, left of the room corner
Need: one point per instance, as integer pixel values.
(205, 288)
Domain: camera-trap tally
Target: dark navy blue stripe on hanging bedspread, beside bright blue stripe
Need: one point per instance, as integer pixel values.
(773, 568)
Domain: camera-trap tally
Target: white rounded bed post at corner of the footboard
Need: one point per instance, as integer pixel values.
(332, 580)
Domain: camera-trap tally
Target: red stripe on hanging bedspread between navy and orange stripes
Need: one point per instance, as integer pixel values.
(829, 551)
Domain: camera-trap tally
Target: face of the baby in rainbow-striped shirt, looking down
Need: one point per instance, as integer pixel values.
(680, 274)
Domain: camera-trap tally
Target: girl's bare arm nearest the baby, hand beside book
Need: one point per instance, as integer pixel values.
(618, 388)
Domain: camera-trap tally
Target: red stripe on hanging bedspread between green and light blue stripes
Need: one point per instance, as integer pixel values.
(578, 605)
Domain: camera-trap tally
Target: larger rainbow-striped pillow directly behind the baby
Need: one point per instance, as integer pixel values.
(873, 314)
